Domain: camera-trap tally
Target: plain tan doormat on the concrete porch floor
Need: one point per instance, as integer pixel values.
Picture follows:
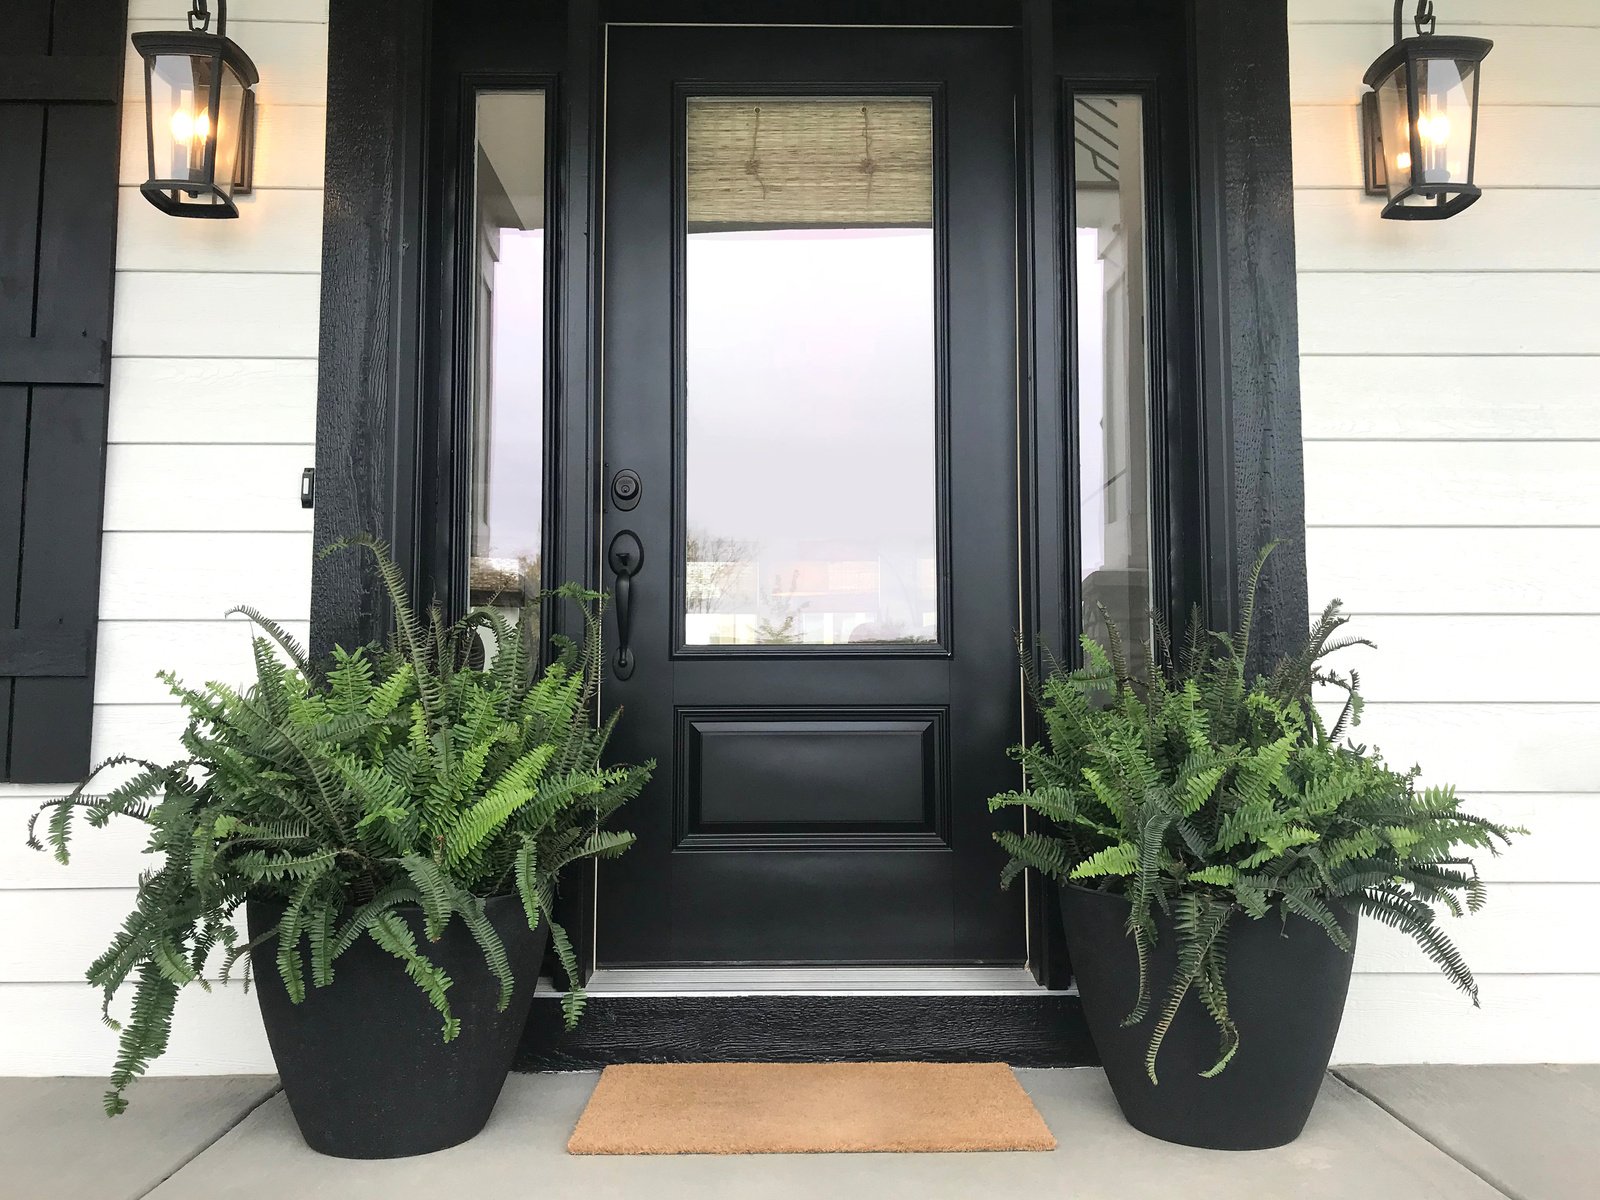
(809, 1108)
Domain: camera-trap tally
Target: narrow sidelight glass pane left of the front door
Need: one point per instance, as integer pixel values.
(508, 356)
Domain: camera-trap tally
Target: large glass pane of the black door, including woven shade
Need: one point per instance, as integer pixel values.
(810, 346)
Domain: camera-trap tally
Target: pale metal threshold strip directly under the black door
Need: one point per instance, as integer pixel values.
(815, 982)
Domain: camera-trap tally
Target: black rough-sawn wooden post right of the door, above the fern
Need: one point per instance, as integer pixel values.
(1250, 358)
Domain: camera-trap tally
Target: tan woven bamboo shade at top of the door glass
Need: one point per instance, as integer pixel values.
(809, 164)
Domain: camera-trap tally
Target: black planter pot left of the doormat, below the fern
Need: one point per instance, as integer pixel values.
(364, 1062)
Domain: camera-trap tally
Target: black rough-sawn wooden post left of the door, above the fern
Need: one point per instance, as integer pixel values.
(372, 295)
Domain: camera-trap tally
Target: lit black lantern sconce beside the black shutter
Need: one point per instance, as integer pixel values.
(199, 118)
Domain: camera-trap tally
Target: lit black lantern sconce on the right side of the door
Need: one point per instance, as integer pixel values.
(1420, 122)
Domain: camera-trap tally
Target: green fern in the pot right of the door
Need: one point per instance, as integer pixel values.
(1199, 791)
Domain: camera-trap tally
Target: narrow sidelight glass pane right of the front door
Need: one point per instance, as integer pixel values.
(1113, 369)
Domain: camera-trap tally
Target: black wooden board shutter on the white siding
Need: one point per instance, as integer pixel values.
(60, 129)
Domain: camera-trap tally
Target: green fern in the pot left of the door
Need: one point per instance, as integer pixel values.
(404, 775)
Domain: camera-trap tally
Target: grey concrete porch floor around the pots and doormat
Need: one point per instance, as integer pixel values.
(1380, 1134)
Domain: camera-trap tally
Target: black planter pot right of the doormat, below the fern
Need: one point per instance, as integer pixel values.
(1286, 986)
